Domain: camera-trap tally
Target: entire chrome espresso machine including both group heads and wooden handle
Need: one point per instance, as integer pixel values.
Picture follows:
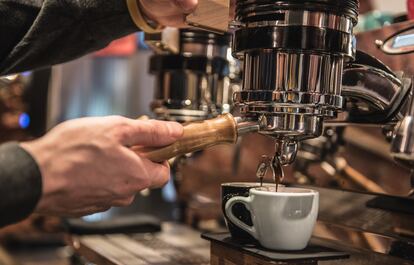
(306, 86)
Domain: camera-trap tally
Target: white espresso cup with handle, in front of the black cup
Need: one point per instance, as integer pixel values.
(282, 220)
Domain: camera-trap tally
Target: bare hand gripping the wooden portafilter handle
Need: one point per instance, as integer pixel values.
(87, 166)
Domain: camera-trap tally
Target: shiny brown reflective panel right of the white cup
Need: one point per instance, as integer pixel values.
(376, 223)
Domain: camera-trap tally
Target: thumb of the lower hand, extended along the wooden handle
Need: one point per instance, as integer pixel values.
(152, 133)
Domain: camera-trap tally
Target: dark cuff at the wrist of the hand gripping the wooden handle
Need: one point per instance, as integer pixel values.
(20, 184)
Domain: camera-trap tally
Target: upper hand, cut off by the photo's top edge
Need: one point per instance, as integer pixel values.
(168, 12)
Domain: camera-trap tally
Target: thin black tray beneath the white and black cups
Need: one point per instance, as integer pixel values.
(312, 254)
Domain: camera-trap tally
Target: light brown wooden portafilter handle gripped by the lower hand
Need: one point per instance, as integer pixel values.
(200, 135)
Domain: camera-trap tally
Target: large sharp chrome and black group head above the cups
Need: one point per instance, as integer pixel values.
(292, 70)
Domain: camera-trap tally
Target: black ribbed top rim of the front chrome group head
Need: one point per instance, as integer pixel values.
(256, 10)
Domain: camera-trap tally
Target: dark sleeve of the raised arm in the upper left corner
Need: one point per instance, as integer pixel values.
(38, 33)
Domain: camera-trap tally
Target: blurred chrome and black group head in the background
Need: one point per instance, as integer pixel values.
(195, 75)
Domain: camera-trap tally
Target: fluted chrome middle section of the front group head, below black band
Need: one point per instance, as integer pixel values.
(289, 80)
